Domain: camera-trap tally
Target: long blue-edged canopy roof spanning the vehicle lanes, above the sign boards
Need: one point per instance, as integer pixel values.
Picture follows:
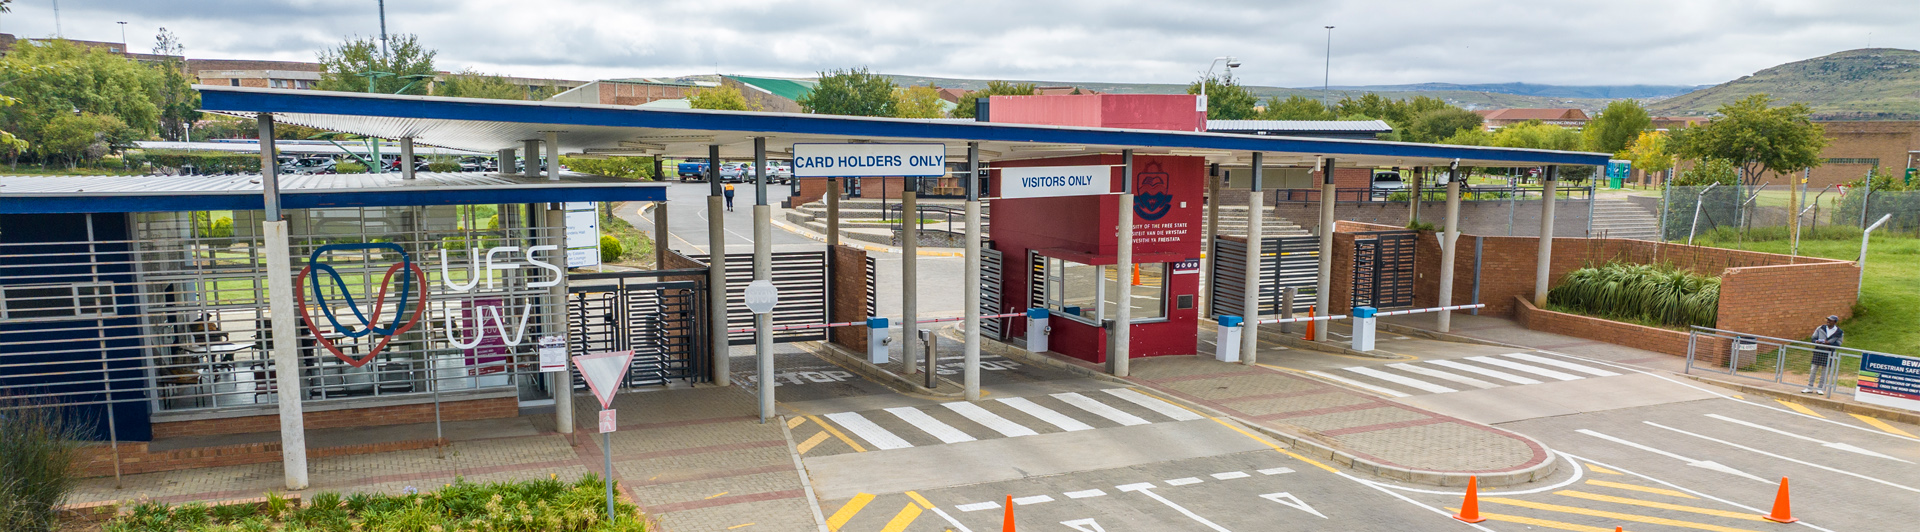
(487, 126)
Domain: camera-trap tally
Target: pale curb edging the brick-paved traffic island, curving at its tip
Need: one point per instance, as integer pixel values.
(1297, 443)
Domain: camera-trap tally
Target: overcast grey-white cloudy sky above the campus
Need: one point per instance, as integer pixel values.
(1115, 41)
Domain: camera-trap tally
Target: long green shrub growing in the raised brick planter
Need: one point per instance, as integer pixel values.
(1660, 295)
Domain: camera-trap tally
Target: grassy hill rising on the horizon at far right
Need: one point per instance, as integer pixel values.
(1871, 84)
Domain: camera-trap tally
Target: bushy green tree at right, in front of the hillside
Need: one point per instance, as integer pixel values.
(1758, 139)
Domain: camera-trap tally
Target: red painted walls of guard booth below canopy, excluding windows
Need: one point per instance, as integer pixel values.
(1166, 187)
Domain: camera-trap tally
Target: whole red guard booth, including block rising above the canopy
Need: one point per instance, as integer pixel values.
(1061, 253)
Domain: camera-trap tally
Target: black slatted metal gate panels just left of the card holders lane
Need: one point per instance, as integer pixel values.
(804, 295)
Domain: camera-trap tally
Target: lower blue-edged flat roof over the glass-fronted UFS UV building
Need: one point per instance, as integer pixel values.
(220, 193)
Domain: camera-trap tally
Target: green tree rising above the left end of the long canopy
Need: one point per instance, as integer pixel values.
(348, 66)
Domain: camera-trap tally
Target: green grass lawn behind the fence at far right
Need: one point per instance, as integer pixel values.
(1890, 297)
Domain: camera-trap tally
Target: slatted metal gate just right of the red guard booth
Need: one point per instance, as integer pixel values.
(1285, 262)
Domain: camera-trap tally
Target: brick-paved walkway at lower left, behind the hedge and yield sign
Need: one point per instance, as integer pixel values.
(692, 458)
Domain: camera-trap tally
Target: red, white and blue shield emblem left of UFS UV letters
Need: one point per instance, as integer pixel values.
(410, 293)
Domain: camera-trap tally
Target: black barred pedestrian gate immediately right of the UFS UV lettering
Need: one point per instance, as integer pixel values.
(663, 322)
